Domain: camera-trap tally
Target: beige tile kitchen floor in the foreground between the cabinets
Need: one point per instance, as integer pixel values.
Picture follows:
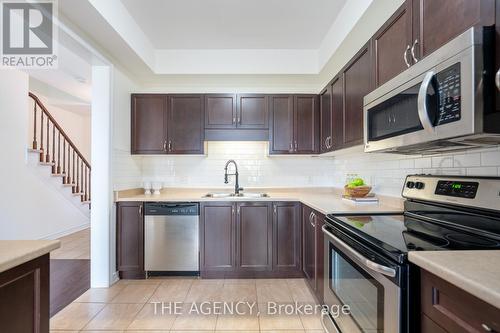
(128, 307)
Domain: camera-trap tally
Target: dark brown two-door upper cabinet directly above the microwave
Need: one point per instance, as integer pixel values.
(419, 27)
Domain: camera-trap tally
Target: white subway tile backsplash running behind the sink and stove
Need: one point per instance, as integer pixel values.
(385, 172)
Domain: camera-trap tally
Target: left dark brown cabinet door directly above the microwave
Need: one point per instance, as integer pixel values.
(390, 45)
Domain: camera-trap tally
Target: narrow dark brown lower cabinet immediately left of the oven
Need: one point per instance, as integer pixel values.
(312, 249)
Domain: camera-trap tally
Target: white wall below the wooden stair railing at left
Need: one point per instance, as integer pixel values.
(29, 209)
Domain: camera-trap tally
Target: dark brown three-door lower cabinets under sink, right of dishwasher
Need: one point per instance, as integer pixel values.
(249, 239)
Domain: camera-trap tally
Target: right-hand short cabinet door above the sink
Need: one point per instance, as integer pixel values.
(252, 111)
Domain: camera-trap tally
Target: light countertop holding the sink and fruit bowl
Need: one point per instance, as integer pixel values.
(323, 200)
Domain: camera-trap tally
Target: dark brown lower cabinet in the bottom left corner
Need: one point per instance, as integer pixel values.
(24, 297)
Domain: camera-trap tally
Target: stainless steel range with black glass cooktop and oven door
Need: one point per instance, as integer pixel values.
(366, 256)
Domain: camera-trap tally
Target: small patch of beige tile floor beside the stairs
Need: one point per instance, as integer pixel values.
(74, 246)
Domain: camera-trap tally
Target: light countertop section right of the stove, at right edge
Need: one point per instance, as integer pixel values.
(477, 272)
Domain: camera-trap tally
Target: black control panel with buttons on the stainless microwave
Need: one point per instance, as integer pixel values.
(448, 86)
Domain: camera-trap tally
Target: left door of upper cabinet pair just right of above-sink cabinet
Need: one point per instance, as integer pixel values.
(281, 129)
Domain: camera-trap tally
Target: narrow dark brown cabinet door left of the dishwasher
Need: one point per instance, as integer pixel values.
(130, 240)
